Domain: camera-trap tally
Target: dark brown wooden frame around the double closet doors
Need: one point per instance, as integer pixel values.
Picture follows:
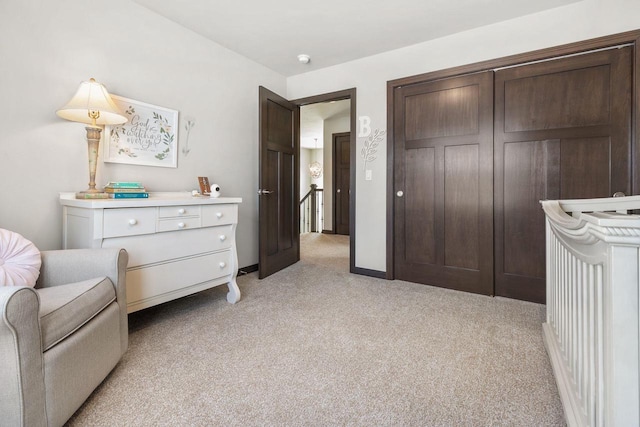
(629, 37)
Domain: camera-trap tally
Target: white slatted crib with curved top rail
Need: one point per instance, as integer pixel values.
(592, 323)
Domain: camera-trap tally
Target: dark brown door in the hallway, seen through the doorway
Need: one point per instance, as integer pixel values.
(342, 178)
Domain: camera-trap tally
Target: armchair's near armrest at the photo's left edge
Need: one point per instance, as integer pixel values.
(22, 394)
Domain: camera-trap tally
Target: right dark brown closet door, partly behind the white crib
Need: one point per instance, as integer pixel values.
(562, 131)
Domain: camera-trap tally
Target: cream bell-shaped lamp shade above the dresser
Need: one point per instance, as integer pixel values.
(92, 101)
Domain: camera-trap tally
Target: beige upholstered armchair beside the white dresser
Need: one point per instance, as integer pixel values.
(61, 339)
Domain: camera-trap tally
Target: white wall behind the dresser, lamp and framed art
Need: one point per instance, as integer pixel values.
(47, 48)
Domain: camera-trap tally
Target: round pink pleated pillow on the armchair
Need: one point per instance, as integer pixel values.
(19, 260)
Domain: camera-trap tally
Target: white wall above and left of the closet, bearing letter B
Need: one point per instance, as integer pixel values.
(578, 21)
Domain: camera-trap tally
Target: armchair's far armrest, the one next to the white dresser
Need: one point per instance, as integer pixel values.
(60, 267)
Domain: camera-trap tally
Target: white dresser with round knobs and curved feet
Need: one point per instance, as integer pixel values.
(177, 244)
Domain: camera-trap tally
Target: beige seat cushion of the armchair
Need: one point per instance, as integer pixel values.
(66, 308)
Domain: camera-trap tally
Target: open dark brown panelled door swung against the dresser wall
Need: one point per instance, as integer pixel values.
(278, 191)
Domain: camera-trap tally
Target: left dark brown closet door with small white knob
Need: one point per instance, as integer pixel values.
(443, 183)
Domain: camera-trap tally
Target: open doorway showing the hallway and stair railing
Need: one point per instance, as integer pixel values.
(327, 147)
